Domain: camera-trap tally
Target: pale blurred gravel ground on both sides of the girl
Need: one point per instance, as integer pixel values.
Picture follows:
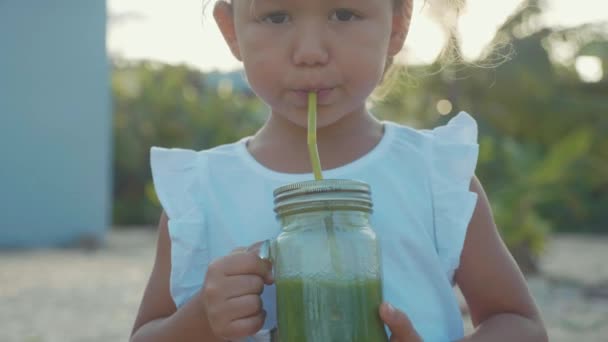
(77, 295)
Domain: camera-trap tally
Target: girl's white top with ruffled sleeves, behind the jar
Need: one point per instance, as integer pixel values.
(221, 198)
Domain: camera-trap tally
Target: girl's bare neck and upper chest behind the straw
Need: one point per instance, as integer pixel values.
(282, 146)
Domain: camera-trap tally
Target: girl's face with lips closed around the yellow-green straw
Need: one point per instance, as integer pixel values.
(336, 48)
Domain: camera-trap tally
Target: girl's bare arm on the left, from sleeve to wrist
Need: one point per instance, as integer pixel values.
(158, 319)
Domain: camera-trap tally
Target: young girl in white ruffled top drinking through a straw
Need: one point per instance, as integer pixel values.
(431, 216)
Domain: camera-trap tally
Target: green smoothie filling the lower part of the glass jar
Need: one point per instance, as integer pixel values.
(329, 311)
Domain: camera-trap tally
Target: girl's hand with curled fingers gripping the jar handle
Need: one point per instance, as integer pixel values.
(231, 294)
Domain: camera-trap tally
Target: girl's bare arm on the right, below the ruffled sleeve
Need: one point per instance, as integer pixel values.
(501, 306)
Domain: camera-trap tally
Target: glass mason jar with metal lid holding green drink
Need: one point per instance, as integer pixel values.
(326, 263)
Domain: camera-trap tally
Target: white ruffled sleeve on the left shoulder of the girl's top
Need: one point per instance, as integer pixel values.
(176, 174)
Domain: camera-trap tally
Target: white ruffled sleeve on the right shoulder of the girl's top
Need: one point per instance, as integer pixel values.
(454, 152)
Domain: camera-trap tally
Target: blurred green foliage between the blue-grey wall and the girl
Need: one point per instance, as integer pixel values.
(172, 106)
